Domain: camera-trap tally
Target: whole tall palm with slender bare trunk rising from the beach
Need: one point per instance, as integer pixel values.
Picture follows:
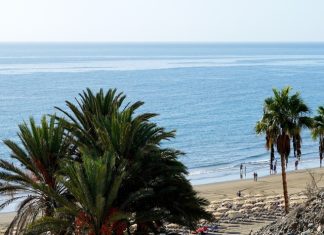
(281, 111)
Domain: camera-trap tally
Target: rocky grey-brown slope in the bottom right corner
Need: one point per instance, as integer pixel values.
(305, 219)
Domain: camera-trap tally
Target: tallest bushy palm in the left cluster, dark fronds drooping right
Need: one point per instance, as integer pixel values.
(101, 123)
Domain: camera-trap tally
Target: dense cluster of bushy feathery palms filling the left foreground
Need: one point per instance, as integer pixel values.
(100, 168)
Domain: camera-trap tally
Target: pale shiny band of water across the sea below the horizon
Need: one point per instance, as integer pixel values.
(143, 63)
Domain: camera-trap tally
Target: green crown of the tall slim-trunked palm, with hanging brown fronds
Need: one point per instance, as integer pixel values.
(285, 115)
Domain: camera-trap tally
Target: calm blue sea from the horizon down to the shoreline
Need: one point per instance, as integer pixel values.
(212, 94)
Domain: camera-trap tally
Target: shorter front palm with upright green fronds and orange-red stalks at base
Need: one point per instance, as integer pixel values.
(94, 184)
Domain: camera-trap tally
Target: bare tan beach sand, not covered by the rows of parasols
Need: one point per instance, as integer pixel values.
(218, 192)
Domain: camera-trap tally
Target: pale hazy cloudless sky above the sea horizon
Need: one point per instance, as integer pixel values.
(161, 20)
